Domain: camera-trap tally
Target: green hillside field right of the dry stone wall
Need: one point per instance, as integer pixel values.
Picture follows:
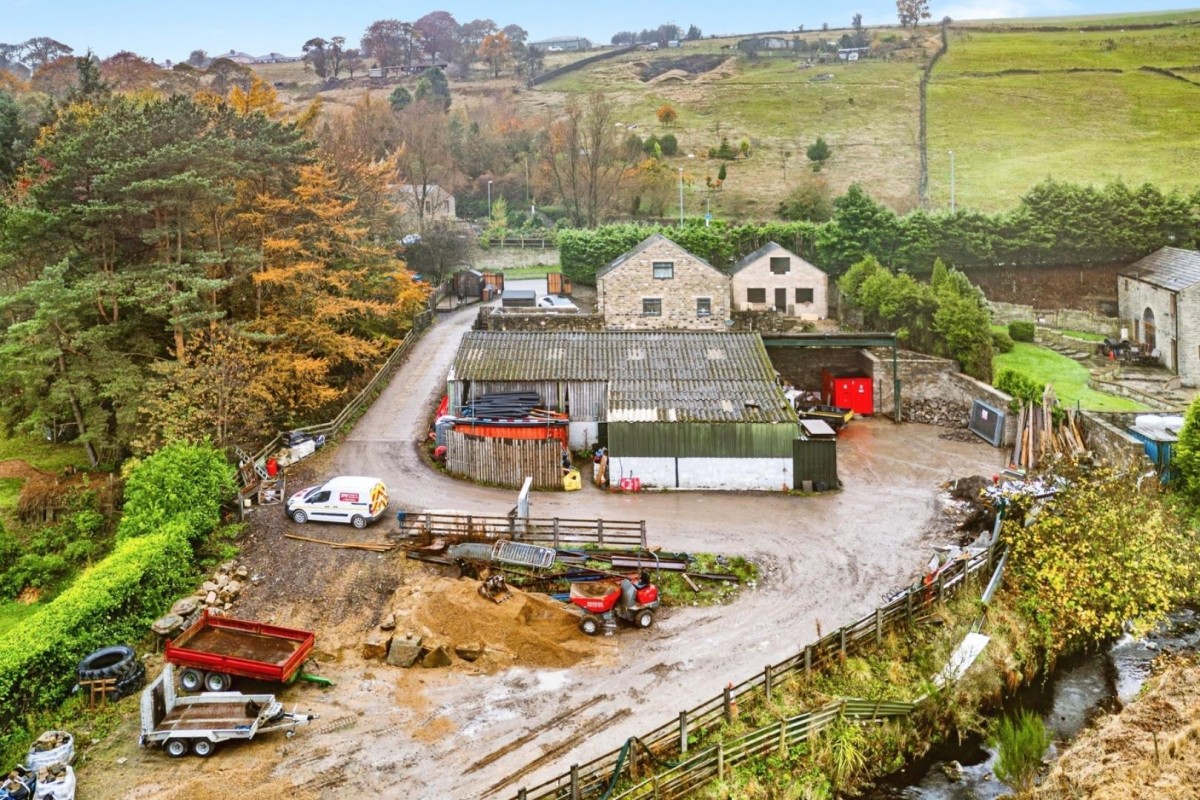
(1011, 131)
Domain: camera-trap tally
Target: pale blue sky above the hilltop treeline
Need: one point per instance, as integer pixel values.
(161, 29)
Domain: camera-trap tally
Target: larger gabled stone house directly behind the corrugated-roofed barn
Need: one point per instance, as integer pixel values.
(661, 286)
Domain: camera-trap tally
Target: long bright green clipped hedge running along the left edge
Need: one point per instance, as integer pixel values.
(111, 603)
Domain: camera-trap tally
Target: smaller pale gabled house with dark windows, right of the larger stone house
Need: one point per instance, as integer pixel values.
(775, 278)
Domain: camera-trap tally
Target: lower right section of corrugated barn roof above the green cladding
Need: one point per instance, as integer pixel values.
(698, 401)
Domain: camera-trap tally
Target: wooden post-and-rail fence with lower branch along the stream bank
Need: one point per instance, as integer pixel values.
(670, 742)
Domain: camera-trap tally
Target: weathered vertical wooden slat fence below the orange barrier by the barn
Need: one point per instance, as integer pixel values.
(506, 462)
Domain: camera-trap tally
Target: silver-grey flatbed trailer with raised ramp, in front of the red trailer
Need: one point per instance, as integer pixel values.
(200, 723)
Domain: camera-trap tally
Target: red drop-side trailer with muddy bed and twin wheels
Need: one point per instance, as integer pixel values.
(215, 649)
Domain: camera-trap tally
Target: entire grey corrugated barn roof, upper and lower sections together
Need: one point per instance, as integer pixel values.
(652, 376)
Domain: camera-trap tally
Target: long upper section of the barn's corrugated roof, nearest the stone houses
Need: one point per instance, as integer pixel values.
(613, 357)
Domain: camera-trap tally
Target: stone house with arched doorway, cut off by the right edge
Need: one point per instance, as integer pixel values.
(1159, 300)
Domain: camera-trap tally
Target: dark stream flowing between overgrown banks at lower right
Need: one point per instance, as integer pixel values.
(1079, 690)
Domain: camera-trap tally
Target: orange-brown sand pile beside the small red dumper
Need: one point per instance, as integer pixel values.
(527, 630)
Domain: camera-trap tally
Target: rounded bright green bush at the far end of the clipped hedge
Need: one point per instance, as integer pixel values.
(182, 482)
